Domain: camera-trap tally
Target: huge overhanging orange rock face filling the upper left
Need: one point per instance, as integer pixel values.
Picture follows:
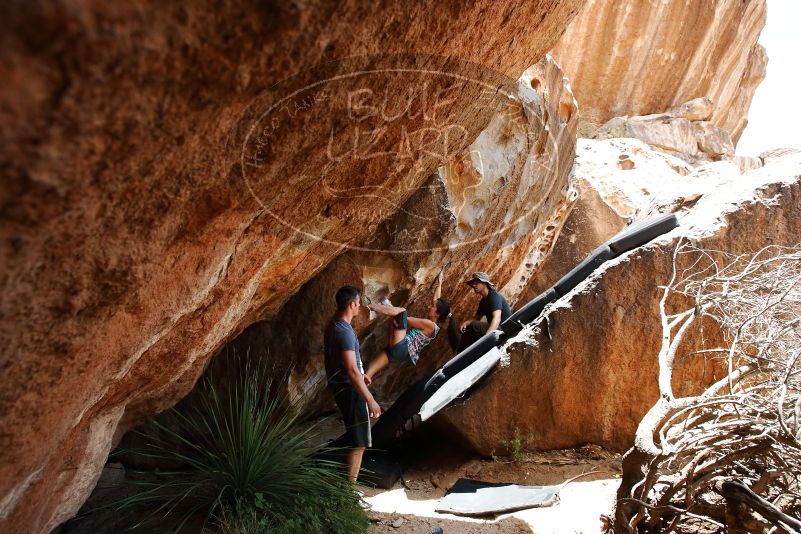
(172, 174)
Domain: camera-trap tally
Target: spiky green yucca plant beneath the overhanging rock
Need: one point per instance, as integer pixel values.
(245, 465)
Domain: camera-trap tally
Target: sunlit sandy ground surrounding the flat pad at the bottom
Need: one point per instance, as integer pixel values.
(409, 507)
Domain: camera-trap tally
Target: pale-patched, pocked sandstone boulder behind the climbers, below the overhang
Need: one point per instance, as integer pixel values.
(495, 207)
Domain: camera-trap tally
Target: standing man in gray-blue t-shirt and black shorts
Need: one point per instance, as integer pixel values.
(345, 372)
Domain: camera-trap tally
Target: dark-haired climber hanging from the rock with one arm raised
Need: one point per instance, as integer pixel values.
(408, 335)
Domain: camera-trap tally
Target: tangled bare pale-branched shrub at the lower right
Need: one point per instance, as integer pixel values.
(712, 461)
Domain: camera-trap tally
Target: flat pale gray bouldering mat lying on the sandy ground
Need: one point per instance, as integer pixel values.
(475, 498)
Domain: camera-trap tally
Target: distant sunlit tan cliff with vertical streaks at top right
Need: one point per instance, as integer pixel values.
(632, 57)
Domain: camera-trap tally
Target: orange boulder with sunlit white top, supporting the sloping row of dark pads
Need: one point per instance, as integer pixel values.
(588, 374)
